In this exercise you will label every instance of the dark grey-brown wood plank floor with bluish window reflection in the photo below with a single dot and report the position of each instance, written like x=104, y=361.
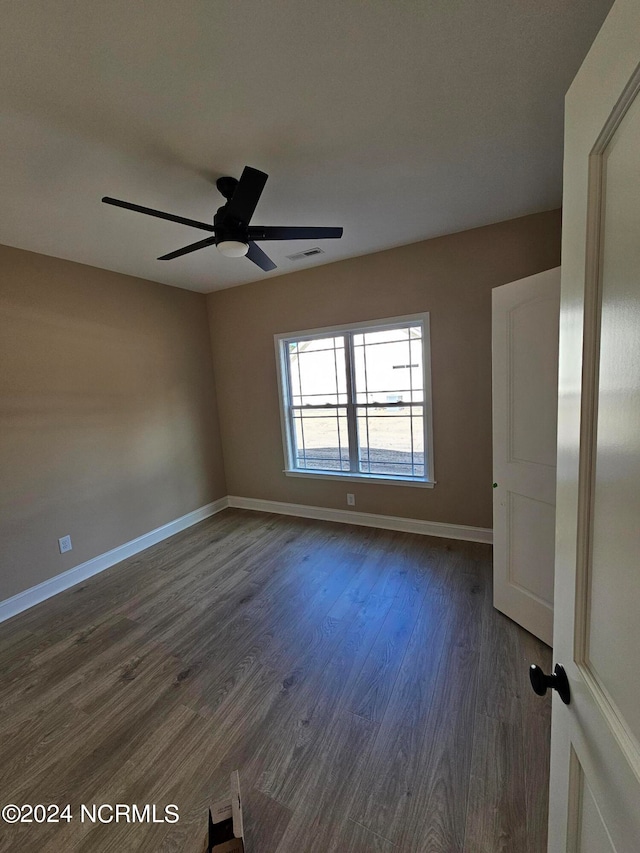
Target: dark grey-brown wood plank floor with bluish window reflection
x=359, y=679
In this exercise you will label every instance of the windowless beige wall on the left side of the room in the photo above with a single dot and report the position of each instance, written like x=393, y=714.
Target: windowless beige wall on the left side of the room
x=108, y=422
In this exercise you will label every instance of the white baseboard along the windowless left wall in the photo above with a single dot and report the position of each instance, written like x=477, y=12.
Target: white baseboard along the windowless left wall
x=29, y=597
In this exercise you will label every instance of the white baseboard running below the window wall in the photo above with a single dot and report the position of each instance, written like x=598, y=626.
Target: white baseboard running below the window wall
x=368, y=519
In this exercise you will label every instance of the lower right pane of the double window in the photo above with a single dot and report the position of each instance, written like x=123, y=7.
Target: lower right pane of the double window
x=391, y=441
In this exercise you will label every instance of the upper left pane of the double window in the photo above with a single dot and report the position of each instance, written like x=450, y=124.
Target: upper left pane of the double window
x=317, y=371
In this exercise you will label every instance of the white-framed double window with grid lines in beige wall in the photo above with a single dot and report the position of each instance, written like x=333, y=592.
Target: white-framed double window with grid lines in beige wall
x=356, y=401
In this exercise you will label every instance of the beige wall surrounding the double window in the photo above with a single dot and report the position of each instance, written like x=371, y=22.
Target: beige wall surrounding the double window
x=451, y=277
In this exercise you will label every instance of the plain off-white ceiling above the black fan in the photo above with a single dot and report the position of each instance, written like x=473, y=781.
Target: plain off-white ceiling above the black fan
x=398, y=120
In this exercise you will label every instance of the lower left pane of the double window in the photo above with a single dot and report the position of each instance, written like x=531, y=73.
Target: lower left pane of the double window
x=321, y=439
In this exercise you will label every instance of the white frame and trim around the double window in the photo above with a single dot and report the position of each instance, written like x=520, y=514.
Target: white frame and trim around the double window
x=282, y=341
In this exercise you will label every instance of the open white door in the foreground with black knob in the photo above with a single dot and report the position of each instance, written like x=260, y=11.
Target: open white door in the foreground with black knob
x=595, y=752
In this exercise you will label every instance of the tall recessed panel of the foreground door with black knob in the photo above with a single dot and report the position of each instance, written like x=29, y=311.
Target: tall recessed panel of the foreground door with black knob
x=612, y=573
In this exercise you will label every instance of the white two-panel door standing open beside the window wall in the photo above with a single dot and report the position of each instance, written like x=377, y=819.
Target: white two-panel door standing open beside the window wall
x=525, y=405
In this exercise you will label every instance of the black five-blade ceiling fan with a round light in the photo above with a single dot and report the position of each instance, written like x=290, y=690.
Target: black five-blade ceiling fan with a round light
x=231, y=232
